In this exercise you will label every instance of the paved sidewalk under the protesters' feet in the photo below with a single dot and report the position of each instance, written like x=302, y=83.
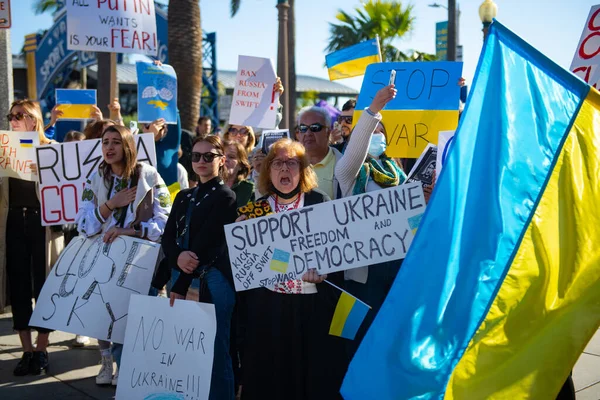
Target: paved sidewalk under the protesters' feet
x=73, y=370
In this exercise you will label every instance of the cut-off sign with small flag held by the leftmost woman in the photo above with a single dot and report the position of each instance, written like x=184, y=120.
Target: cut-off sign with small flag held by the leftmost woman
x=17, y=153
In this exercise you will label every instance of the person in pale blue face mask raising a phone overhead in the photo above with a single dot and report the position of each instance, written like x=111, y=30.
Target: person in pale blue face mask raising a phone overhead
x=366, y=168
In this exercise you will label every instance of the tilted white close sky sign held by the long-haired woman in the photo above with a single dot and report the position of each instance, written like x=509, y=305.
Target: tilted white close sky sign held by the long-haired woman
x=88, y=289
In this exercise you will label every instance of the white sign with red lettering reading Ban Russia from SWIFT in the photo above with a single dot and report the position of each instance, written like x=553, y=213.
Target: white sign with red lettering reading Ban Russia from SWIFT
x=254, y=101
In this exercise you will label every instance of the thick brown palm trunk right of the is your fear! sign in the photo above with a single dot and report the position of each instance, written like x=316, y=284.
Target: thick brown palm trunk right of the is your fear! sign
x=185, y=55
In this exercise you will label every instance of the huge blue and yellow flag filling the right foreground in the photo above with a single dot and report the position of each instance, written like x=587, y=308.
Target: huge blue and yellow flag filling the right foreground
x=500, y=291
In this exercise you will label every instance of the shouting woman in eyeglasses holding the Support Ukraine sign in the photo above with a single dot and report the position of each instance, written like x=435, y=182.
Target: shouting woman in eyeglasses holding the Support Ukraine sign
x=287, y=350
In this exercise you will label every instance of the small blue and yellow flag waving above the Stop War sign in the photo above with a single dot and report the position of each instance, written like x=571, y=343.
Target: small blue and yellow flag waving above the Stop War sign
x=353, y=60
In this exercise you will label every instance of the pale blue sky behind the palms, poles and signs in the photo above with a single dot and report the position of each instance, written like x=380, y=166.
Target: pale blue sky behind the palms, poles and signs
x=552, y=26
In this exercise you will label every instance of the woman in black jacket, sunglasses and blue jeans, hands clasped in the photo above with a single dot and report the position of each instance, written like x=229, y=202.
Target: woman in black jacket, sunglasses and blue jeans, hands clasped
x=194, y=246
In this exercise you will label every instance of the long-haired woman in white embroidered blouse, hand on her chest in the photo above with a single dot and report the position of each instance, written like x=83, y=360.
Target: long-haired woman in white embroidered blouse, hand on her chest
x=123, y=197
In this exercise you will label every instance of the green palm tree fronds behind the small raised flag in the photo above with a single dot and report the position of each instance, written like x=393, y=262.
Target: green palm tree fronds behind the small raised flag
x=389, y=20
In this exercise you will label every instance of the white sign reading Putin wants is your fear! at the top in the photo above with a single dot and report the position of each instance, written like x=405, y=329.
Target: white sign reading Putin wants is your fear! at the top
x=113, y=26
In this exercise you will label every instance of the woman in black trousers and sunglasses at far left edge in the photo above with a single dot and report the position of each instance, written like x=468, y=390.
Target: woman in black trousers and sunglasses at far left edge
x=25, y=246
